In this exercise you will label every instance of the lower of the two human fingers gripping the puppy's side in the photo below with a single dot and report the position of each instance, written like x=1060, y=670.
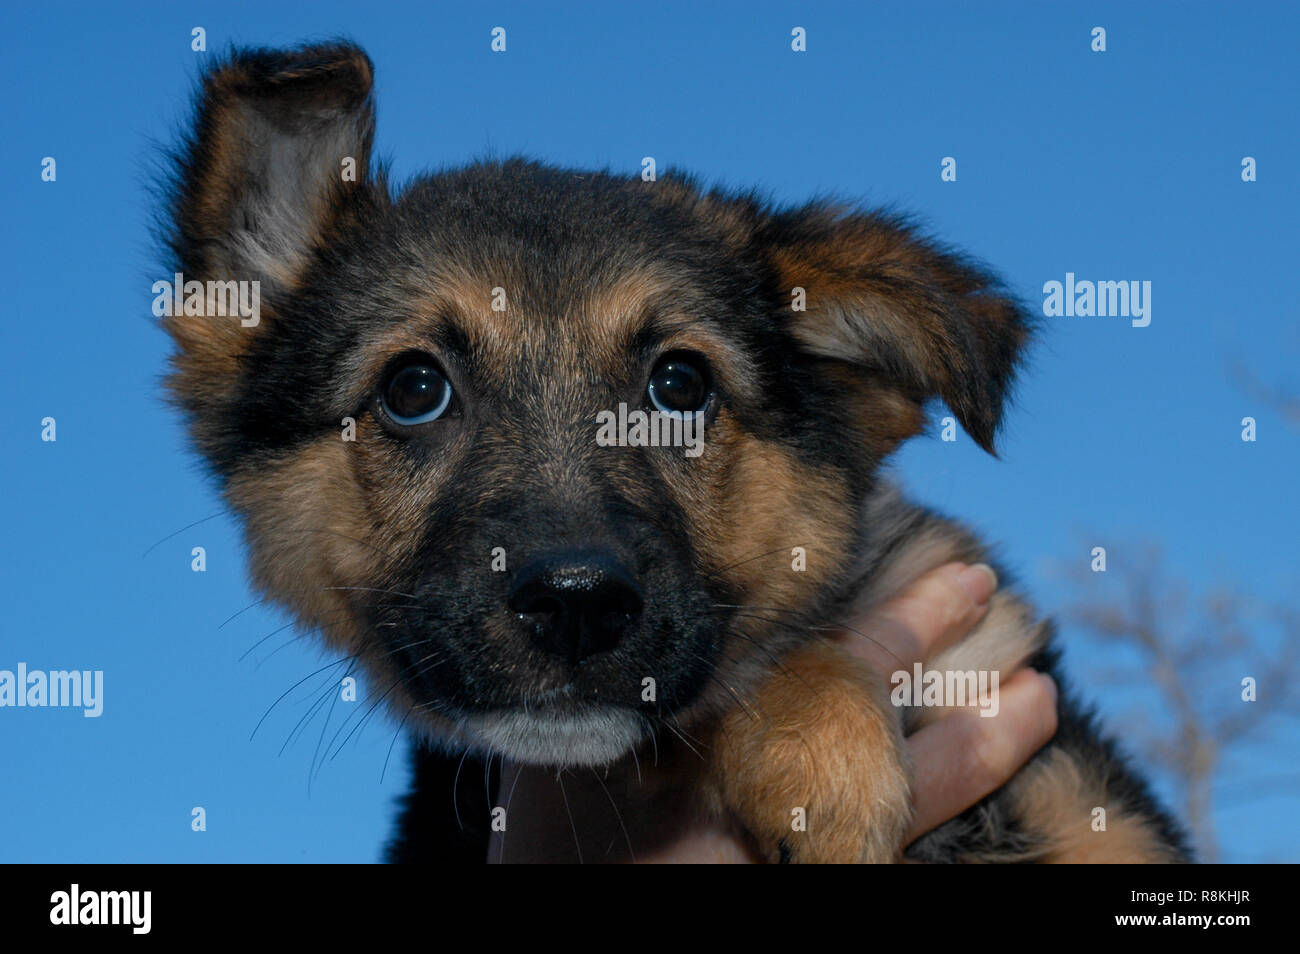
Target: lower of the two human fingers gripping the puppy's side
x=964, y=757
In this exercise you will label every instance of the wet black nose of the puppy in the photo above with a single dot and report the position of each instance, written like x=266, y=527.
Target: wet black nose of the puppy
x=579, y=601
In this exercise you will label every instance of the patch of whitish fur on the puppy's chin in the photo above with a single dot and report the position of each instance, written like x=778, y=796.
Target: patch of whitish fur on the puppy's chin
x=591, y=739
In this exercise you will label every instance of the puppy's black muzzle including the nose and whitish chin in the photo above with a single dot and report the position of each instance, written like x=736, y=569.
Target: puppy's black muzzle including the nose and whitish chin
x=580, y=666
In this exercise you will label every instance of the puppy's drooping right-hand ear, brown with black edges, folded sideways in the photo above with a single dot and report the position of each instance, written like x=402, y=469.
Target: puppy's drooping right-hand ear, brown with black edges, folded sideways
x=882, y=298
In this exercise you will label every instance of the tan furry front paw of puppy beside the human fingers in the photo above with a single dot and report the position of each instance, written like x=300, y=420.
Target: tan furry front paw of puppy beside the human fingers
x=816, y=767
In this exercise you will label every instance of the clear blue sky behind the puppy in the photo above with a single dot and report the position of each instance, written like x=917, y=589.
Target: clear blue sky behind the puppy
x=1117, y=166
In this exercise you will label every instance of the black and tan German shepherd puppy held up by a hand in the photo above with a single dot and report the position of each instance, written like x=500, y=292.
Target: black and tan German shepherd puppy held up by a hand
x=409, y=435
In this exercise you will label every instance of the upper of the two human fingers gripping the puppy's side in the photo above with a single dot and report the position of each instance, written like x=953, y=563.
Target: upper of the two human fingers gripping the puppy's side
x=934, y=613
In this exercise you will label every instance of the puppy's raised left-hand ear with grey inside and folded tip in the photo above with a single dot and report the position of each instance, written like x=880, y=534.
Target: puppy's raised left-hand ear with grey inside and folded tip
x=261, y=184
